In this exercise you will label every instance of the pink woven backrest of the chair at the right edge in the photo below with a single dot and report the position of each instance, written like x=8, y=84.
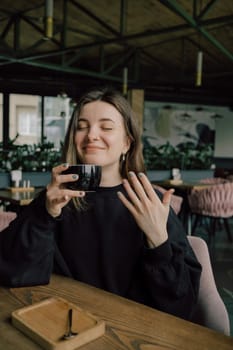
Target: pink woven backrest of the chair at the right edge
x=214, y=200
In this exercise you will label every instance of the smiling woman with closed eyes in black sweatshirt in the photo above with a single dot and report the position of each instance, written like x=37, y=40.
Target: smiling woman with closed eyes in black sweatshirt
x=123, y=238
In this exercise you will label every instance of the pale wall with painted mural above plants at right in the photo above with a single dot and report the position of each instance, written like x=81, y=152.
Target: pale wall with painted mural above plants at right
x=166, y=122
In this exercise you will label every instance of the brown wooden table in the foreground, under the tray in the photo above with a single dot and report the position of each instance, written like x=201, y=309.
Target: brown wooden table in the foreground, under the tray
x=129, y=325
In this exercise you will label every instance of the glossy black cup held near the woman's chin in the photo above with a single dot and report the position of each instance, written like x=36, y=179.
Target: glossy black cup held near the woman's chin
x=89, y=176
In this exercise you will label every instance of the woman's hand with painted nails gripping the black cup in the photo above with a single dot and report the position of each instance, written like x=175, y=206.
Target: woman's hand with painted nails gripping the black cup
x=57, y=195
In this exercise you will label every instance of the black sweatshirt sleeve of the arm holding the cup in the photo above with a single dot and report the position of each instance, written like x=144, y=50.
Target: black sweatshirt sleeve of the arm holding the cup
x=27, y=247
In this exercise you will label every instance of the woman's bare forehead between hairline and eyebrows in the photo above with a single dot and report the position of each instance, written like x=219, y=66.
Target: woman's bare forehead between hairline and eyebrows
x=100, y=110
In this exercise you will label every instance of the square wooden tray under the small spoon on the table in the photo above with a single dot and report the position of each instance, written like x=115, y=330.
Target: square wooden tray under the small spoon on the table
x=46, y=322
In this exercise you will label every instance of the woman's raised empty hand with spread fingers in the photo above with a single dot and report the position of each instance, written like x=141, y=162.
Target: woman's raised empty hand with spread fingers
x=149, y=211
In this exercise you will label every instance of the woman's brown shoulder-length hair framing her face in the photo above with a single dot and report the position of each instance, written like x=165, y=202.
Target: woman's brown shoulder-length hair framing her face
x=133, y=159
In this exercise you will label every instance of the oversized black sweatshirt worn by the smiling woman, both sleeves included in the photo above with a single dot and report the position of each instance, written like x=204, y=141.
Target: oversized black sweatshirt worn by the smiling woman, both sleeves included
x=102, y=246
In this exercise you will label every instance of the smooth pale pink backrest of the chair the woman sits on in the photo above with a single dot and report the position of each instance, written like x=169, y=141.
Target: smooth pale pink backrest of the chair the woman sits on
x=211, y=311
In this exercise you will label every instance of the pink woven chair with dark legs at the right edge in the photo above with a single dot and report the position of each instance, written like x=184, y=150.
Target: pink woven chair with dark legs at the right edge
x=214, y=202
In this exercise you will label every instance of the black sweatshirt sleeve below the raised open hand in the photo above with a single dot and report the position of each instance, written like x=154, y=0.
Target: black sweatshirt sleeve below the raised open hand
x=171, y=272
